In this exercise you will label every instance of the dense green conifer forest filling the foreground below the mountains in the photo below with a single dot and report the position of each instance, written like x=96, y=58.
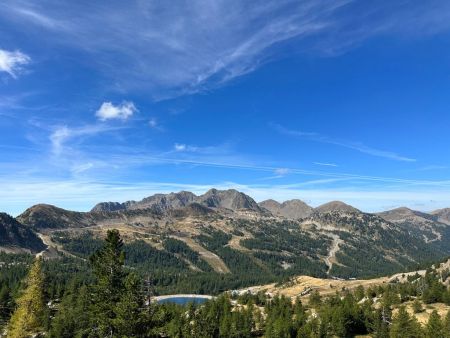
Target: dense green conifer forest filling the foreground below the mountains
x=106, y=298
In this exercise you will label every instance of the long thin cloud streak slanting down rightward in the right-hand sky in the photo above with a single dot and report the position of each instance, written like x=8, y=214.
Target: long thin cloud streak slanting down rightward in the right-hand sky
x=357, y=146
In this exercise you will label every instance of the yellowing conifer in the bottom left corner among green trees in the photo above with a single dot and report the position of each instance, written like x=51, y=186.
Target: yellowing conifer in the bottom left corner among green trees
x=27, y=320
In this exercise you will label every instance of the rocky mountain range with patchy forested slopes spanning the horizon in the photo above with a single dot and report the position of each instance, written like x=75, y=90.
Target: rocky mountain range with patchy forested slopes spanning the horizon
x=222, y=226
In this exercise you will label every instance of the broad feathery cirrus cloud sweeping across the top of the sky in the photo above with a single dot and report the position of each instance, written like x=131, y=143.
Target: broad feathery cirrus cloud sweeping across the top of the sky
x=164, y=48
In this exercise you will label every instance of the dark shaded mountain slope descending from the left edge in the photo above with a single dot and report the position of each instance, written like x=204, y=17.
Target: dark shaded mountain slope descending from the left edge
x=16, y=235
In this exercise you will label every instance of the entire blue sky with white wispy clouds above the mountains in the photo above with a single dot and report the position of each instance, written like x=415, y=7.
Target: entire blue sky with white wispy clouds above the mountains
x=317, y=100
